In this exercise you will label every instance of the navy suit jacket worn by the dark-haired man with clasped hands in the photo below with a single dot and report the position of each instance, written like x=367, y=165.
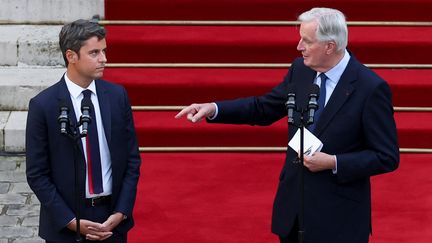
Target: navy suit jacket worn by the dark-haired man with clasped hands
x=50, y=157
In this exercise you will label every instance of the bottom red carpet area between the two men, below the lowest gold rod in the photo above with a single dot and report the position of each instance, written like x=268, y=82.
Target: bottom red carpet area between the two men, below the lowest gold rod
x=205, y=197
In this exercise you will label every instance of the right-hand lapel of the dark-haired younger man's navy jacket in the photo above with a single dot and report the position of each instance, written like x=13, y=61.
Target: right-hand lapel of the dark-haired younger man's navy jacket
x=105, y=108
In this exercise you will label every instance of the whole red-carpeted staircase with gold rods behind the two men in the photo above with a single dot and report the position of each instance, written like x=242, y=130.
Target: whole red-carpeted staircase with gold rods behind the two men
x=211, y=183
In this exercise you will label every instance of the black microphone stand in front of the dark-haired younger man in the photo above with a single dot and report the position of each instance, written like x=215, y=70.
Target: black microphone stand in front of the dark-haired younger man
x=73, y=133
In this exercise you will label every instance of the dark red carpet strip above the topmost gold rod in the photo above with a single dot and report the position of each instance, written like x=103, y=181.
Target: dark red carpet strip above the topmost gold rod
x=384, y=10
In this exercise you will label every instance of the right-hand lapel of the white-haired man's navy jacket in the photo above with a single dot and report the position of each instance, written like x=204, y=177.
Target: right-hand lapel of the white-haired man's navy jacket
x=343, y=90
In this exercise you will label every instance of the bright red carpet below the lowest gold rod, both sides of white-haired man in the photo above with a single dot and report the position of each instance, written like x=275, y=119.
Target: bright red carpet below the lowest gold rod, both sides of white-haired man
x=227, y=197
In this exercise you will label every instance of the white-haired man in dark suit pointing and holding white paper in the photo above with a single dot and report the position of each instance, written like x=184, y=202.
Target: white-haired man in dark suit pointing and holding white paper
x=356, y=126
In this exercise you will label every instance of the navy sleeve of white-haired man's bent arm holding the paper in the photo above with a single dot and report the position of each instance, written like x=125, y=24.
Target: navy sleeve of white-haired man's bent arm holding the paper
x=381, y=152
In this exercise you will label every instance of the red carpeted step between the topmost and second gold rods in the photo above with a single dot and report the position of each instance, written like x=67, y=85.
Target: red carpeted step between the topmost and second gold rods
x=253, y=44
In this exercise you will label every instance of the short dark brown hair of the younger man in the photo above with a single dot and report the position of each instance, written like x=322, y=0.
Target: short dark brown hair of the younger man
x=74, y=35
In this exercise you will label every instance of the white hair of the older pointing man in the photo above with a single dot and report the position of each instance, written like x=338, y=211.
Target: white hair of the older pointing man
x=331, y=25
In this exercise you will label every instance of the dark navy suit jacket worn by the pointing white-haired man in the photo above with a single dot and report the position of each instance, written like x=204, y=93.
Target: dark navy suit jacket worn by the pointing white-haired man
x=357, y=125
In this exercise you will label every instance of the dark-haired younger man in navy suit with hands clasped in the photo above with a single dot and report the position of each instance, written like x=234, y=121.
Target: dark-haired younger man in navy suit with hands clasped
x=107, y=160
